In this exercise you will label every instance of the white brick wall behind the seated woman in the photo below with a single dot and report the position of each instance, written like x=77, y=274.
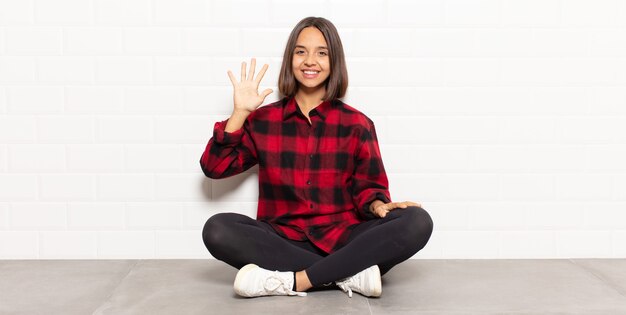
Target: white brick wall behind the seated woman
x=505, y=119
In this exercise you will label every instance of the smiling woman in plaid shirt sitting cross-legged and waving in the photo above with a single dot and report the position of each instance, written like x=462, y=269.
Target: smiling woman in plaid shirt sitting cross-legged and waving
x=324, y=215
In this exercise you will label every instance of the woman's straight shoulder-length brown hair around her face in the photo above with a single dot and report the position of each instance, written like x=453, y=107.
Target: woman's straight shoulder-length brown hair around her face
x=337, y=82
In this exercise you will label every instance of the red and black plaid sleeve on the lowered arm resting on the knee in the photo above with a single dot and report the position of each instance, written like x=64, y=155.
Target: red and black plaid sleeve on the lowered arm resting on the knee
x=369, y=180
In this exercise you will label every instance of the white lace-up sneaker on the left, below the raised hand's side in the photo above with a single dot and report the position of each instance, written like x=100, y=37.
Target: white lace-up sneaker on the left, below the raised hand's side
x=252, y=280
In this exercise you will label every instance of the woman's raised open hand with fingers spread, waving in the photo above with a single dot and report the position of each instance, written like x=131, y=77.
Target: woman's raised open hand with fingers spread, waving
x=246, y=96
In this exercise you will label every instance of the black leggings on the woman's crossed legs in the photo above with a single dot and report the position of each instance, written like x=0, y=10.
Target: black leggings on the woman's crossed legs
x=239, y=240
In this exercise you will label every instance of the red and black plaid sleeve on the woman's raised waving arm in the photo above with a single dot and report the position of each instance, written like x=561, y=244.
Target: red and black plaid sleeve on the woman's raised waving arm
x=228, y=153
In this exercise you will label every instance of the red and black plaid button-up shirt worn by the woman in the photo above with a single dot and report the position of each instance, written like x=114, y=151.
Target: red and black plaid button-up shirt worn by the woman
x=316, y=179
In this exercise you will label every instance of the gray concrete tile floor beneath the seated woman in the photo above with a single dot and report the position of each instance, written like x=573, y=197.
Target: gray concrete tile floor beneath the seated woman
x=550, y=286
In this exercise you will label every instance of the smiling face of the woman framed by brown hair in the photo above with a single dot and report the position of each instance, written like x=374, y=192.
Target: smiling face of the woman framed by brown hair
x=311, y=53
